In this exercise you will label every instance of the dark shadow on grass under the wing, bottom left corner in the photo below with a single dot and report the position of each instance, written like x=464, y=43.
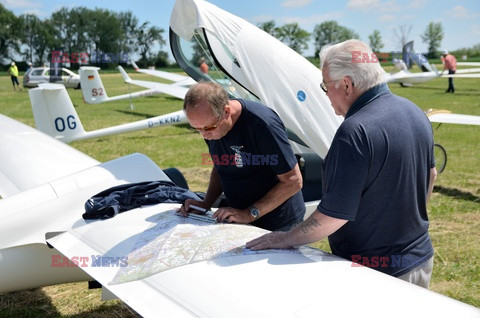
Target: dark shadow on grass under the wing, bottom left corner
x=36, y=303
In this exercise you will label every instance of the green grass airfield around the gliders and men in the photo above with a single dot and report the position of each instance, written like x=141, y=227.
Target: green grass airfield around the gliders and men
x=454, y=209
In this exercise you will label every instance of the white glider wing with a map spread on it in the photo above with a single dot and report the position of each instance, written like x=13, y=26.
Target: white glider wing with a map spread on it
x=163, y=264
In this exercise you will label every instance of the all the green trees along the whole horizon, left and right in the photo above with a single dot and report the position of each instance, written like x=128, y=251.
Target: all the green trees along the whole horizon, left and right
x=98, y=31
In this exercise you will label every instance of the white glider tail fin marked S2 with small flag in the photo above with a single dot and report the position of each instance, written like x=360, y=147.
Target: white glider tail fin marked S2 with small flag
x=92, y=86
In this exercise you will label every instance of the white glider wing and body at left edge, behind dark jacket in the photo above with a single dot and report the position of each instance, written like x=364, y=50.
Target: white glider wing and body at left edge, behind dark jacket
x=45, y=184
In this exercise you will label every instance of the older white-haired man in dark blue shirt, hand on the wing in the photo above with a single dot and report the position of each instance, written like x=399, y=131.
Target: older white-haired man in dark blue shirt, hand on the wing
x=378, y=173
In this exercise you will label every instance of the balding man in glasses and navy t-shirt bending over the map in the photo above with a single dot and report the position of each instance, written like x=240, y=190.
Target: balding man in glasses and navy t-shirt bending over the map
x=254, y=165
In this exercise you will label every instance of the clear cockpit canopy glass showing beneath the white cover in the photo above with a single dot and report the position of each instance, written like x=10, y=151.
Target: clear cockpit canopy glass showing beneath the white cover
x=197, y=58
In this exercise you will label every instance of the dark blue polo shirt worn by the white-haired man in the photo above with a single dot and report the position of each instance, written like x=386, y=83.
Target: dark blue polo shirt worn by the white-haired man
x=376, y=176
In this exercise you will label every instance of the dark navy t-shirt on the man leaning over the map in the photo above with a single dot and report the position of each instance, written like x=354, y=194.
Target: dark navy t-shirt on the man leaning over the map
x=249, y=158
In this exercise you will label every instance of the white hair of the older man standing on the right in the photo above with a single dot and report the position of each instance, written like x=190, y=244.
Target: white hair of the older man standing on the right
x=348, y=59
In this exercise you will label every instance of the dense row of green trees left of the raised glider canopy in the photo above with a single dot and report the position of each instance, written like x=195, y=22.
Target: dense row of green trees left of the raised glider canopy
x=79, y=30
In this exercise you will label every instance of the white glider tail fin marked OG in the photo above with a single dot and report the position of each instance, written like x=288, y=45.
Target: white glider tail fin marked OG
x=54, y=113
